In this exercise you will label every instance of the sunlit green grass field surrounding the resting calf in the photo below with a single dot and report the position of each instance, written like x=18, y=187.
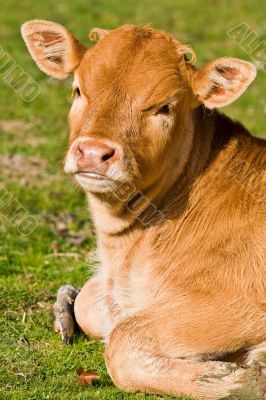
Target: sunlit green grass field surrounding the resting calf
x=34, y=364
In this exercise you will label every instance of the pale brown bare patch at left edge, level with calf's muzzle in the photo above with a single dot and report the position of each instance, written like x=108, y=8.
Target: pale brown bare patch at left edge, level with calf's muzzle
x=24, y=170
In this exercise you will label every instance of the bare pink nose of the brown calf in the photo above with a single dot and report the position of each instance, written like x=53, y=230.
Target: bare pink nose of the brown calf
x=94, y=156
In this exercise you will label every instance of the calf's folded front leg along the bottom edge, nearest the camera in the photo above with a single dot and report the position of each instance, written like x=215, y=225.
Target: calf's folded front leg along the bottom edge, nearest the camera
x=163, y=351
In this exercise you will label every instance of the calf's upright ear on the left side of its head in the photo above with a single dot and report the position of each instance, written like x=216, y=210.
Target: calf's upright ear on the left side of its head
x=53, y=48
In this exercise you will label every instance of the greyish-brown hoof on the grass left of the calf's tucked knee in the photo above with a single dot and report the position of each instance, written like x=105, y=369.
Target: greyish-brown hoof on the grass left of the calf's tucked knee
x=63, y=312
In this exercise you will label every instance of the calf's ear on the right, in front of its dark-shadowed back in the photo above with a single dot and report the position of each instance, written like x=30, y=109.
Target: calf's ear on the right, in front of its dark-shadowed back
x=222, y=81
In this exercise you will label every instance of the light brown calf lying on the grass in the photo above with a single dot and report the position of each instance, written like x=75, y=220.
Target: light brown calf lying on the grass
x=177, y=195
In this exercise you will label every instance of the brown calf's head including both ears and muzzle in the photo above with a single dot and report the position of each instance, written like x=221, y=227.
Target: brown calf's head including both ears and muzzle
x=134, y=91
